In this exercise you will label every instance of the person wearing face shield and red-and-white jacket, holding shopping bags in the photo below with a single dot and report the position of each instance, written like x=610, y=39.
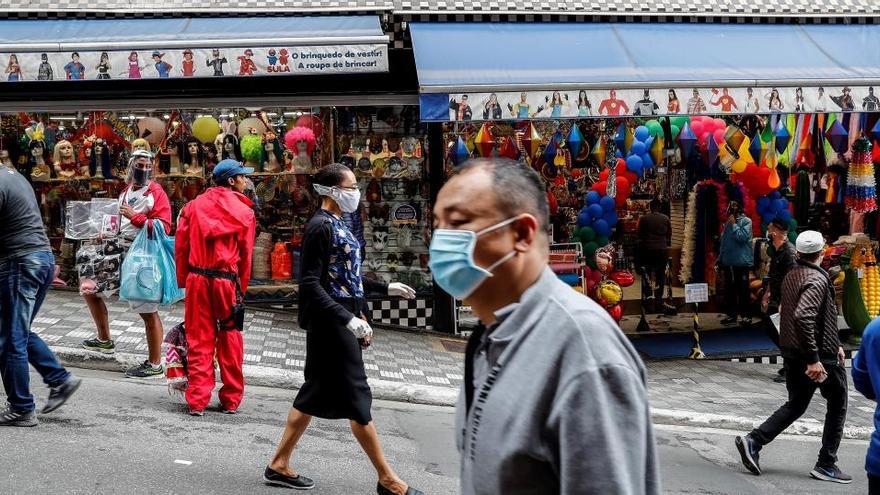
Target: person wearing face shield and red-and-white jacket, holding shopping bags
x=142, y=201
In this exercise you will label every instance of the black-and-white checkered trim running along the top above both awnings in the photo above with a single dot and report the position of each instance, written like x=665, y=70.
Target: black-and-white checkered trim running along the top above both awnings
x=466, y=10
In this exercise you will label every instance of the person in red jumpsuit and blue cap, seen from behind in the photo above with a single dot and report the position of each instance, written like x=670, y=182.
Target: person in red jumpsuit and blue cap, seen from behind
x=214, y=245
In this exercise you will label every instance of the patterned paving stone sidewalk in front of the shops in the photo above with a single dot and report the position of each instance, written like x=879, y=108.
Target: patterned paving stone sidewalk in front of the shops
x=273, y=340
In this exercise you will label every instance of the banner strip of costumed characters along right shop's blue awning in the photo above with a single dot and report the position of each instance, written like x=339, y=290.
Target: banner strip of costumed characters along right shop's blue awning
x=653, y=102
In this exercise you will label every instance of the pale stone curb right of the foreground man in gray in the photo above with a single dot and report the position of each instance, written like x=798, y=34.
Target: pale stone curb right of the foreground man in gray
x=706, y=420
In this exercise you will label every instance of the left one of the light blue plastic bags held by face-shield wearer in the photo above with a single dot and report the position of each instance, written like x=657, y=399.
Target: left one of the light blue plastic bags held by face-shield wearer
x=141, y=273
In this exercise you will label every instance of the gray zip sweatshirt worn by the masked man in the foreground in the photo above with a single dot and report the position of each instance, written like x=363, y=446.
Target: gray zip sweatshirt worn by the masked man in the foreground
x=559, y=403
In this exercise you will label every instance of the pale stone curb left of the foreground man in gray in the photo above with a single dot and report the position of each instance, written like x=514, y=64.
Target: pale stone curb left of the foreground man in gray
x=262, y=376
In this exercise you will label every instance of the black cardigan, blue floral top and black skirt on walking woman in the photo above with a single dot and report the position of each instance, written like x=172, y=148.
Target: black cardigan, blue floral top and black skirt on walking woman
x=331, y=293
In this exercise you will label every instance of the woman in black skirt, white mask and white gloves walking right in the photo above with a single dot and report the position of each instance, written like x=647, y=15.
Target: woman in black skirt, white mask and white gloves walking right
x=333, y=312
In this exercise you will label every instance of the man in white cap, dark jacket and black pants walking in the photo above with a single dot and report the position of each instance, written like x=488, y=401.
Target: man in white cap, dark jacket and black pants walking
x=814, y=360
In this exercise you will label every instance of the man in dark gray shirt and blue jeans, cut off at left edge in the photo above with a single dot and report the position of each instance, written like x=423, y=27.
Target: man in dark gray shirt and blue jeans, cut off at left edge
x=27, y=269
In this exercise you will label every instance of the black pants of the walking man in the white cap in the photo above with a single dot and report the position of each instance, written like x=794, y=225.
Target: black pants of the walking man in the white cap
x=800, y=392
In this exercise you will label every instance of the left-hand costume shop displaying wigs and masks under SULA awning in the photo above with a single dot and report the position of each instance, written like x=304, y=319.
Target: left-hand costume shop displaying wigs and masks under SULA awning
x=285, y=95
